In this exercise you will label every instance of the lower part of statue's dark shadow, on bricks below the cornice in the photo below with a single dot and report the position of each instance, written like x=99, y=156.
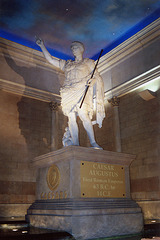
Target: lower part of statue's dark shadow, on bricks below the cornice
x=35, y=125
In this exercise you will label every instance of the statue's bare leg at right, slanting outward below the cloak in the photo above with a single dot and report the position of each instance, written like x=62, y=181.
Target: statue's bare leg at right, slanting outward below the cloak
x=88, y=127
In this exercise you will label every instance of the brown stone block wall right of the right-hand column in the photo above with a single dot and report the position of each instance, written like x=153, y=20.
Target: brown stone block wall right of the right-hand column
x=140, y=128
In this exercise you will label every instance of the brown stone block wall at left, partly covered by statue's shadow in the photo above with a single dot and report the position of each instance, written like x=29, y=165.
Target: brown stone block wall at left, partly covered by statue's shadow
x=25, y=126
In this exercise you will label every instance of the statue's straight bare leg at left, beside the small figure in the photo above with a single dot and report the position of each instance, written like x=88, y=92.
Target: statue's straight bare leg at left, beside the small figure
x=73, y=127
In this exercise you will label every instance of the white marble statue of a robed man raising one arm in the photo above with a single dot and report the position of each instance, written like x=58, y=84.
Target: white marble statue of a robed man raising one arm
x=77, y=78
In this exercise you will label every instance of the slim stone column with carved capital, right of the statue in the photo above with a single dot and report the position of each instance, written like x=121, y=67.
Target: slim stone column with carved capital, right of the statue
x=115, y=103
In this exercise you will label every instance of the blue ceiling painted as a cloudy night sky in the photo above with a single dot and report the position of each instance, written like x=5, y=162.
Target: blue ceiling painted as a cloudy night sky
x=97, y=23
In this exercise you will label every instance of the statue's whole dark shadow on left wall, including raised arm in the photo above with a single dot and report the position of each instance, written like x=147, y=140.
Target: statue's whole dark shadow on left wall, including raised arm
x=34, y=115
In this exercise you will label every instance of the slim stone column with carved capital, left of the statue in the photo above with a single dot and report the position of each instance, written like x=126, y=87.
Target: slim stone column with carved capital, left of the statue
x=54, y=128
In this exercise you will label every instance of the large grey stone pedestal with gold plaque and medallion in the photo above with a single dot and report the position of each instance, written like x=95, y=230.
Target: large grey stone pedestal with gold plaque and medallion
x=85, y=192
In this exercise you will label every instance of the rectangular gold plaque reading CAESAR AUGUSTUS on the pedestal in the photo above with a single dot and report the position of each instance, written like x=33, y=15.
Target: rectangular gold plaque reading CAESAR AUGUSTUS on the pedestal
x=100, y=180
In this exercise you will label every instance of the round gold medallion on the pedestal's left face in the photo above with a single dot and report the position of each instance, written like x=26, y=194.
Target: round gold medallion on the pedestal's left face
x=53, y=177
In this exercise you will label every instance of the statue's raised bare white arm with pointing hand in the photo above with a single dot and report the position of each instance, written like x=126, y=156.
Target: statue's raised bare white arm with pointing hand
x=53, y=61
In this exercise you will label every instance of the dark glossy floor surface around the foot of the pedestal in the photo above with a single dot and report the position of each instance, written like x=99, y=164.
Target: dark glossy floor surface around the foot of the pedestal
x=18, y=229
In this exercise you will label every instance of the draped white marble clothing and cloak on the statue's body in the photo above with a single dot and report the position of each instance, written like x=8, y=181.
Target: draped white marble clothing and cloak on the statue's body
x=77, y=75
